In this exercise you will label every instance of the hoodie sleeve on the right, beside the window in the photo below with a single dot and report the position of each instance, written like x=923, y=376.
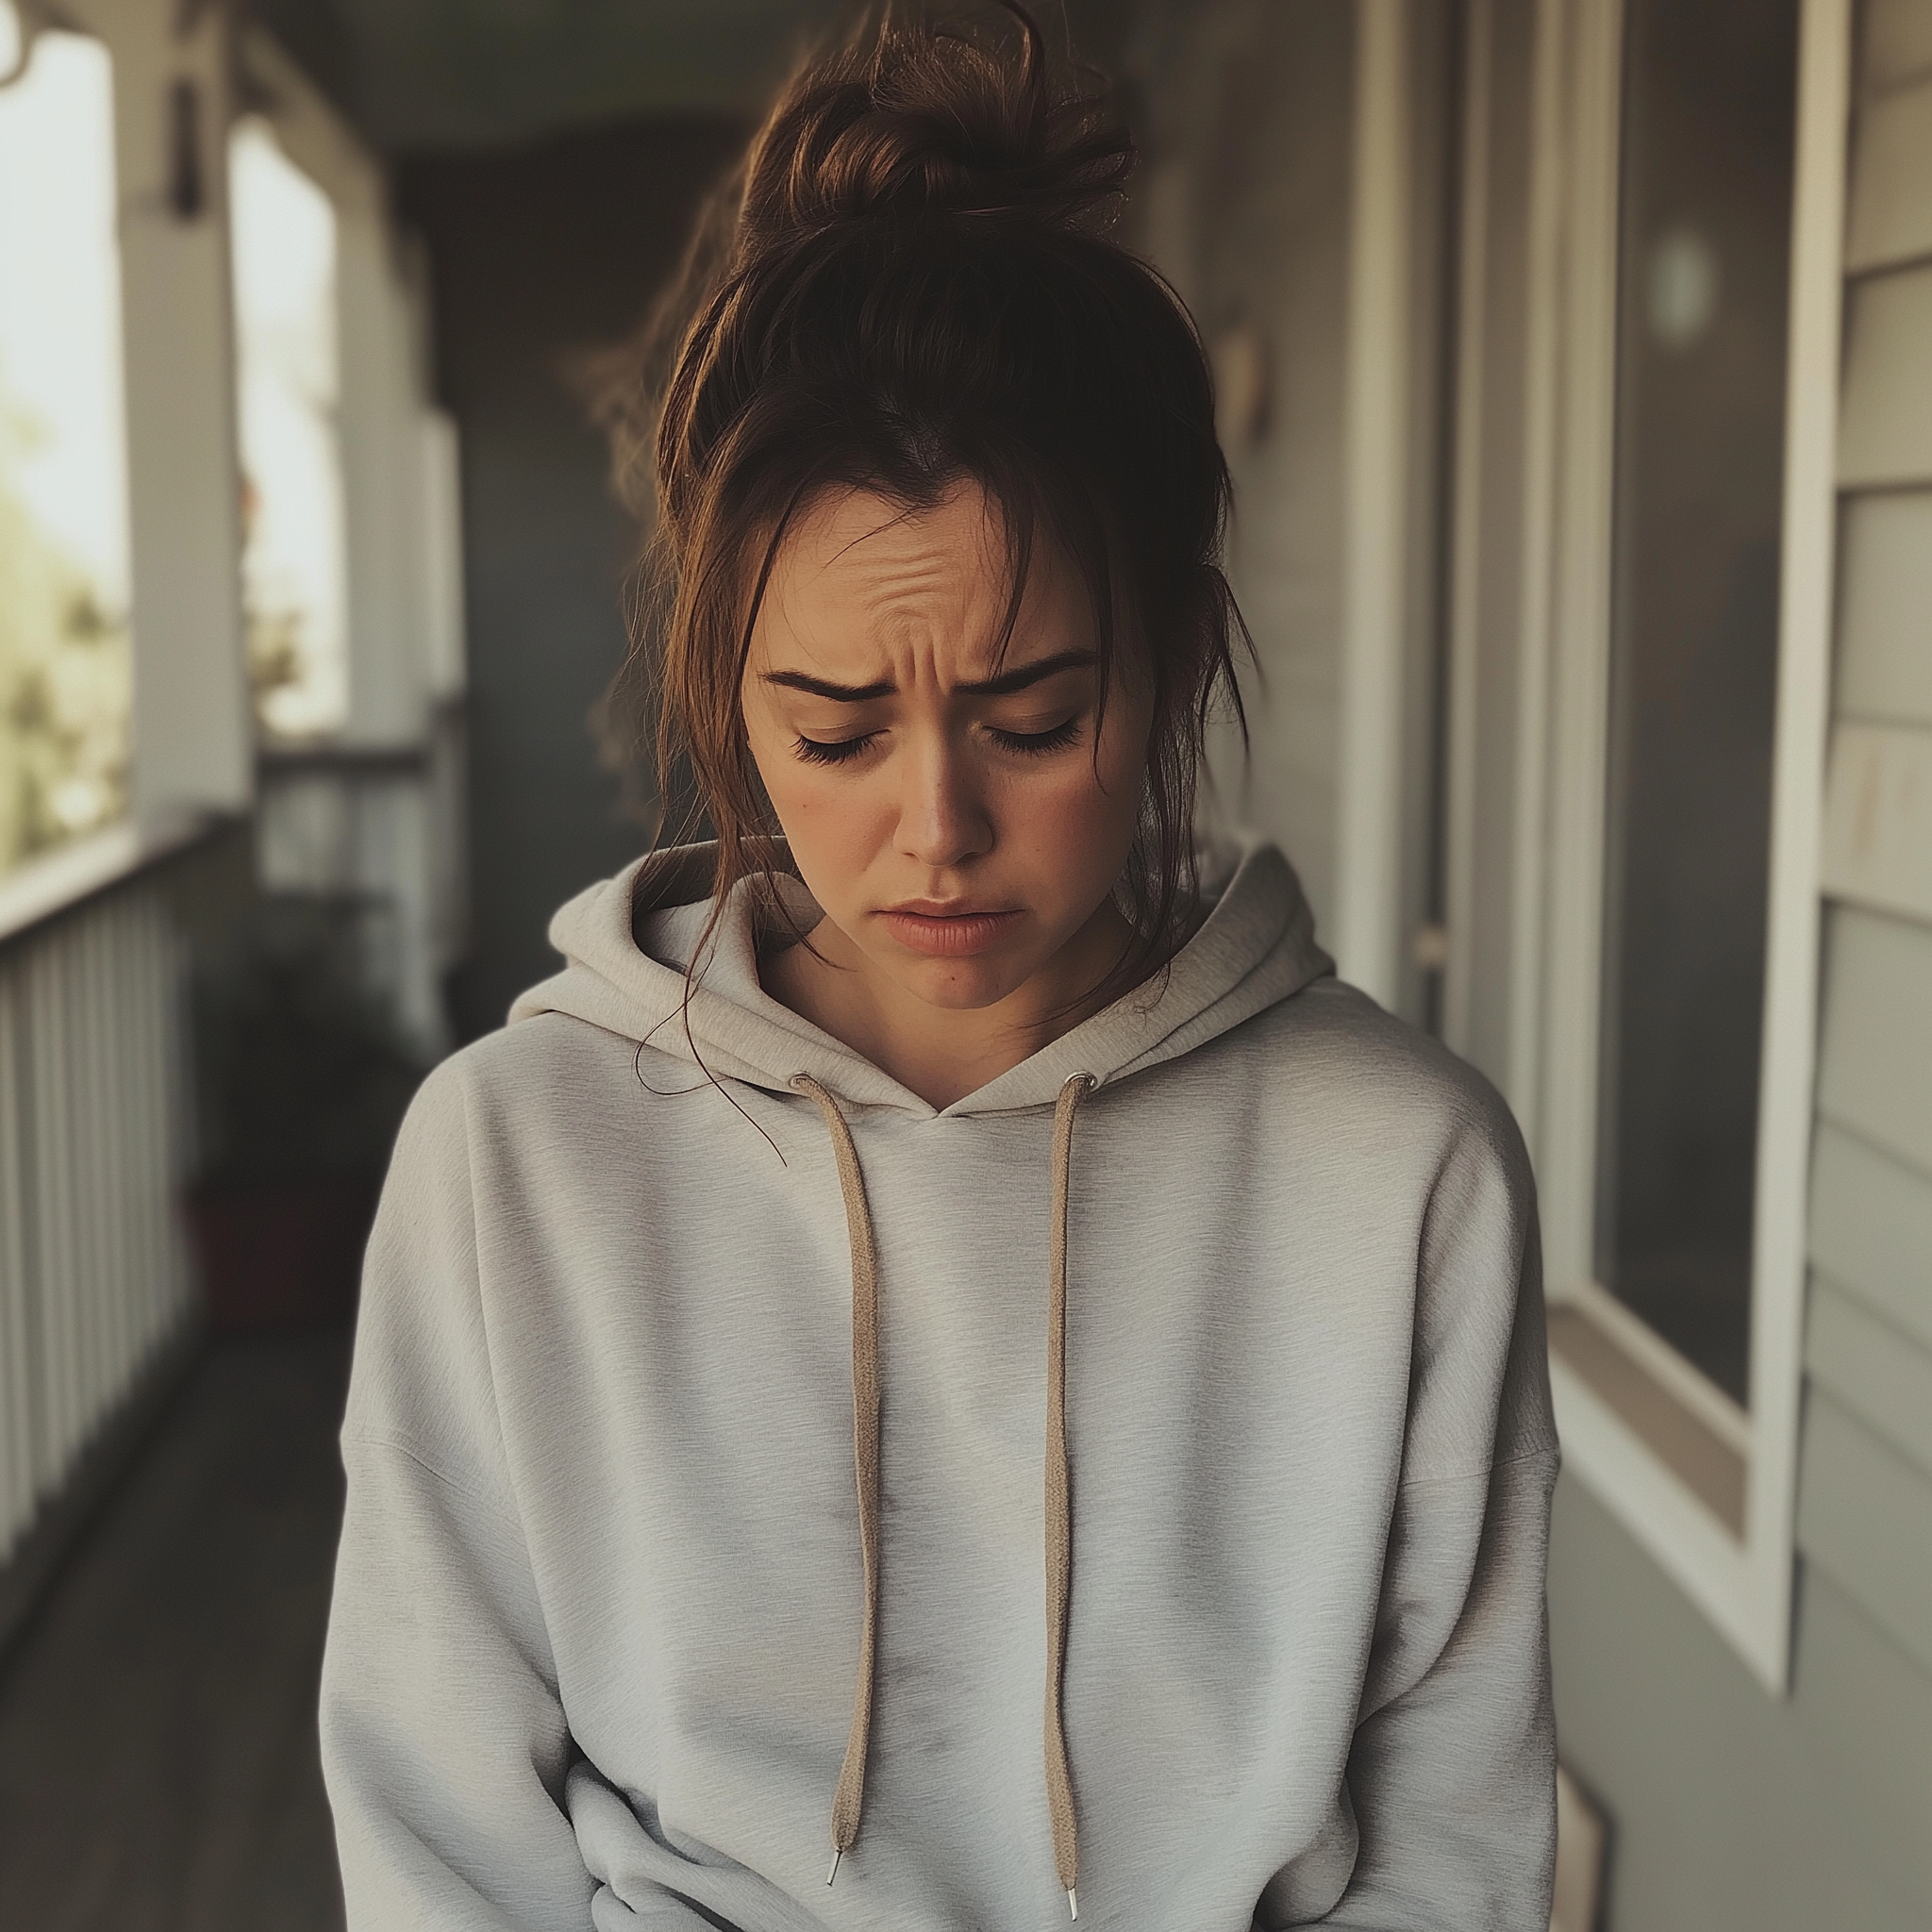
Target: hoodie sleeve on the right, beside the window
x=1452, y=1773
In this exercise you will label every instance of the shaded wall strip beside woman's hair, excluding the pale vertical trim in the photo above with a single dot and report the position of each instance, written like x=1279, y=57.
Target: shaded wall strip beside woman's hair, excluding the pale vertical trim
x=1247, y=192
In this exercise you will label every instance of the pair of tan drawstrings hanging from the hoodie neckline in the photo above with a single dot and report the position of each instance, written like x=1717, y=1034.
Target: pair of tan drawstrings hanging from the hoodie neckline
x=849, y=1802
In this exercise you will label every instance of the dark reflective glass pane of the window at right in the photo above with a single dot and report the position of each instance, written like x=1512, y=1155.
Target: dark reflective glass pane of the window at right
x=1709, y=138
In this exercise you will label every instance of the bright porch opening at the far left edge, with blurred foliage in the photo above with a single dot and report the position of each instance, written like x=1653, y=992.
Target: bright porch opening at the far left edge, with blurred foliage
x=65, y=637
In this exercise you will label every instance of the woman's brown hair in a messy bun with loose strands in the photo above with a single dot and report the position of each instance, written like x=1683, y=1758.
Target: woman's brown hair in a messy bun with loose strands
x=909, y=285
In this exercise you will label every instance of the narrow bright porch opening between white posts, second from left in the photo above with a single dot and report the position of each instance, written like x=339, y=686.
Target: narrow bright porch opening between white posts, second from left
x=293, y=575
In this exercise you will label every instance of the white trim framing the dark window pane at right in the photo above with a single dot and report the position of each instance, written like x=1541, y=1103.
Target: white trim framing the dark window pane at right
x=1744, y=1585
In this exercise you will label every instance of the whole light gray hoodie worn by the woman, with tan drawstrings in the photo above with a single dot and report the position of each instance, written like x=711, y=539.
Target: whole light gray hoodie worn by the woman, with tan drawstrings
x=613, y=1610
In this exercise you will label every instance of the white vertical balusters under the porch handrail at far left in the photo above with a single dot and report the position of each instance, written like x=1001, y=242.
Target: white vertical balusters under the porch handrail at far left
x=96, y=1135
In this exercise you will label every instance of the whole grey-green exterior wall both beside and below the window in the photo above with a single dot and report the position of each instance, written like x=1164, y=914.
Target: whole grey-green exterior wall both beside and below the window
x=1732, y=1809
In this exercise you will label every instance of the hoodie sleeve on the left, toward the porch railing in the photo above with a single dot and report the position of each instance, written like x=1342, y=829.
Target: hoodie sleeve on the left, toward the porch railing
x=445, y=1744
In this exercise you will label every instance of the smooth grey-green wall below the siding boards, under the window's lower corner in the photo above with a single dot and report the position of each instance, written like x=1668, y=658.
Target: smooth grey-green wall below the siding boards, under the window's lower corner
x=1734, y=1811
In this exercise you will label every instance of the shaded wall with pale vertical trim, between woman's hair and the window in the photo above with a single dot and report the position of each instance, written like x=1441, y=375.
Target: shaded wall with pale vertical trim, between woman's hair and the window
x=1295, y=190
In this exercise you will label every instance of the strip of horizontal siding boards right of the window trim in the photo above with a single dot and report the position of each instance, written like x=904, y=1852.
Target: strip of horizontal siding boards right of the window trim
x=1865, y=1491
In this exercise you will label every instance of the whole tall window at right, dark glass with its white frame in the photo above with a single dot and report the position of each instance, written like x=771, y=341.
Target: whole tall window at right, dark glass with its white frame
x=1641, y=615
